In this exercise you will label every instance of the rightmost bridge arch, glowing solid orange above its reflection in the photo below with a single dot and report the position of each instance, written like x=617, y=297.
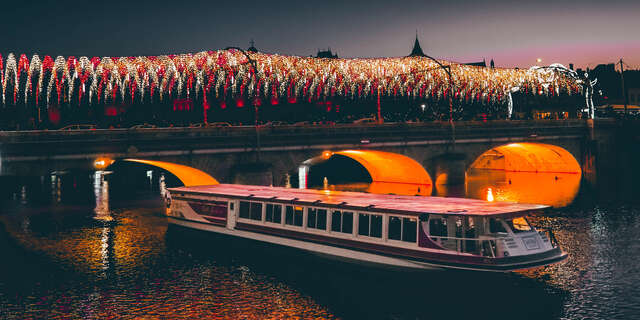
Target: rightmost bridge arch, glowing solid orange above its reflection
x=528, y=157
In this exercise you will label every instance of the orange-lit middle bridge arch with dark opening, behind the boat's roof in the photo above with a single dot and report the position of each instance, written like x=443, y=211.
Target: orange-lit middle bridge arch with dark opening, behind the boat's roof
x=375, y=171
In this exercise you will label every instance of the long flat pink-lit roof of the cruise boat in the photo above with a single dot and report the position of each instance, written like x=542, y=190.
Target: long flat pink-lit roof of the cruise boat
x=412, y=205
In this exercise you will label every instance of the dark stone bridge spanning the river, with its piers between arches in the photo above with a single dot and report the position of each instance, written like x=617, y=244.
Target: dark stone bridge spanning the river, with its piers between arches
x=234, y=154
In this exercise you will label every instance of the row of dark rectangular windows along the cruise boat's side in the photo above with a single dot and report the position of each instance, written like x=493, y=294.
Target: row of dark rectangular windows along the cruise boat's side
x=370, y=225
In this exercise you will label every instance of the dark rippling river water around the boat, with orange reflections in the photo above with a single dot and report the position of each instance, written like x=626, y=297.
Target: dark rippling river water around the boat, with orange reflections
x=97, y=246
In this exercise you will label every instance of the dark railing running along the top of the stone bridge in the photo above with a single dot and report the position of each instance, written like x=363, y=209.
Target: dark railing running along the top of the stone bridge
x=27, y=143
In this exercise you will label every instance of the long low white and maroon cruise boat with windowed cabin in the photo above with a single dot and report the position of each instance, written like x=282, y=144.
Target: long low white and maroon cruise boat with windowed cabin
x=389, y=230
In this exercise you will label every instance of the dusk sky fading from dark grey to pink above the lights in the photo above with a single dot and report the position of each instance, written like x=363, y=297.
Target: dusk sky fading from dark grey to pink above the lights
x=514, y=34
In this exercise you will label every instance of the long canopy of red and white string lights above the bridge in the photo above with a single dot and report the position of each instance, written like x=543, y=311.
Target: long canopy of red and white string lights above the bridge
x=226, y=74
